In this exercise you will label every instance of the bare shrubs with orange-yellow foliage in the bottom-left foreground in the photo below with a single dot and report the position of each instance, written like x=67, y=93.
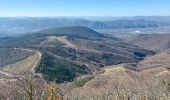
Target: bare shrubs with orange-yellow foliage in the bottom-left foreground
x=30, y=87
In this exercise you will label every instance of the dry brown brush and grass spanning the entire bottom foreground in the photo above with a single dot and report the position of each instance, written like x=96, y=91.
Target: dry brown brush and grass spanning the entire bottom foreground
x=118, y=84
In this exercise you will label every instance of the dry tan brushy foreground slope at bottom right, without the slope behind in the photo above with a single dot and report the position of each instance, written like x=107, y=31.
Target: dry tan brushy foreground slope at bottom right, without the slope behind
x=123, y=84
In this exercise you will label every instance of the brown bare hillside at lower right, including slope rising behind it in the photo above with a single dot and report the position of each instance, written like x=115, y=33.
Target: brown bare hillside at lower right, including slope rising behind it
x=150, y=82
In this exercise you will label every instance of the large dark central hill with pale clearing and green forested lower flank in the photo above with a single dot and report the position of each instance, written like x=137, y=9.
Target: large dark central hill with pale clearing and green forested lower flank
x=75, y=50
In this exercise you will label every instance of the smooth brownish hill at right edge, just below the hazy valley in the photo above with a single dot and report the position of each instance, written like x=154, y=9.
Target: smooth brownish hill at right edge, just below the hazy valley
x=156, y=42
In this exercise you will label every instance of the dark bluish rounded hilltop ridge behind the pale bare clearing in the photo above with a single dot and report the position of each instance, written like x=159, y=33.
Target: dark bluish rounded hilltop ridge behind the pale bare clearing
x=37, y=37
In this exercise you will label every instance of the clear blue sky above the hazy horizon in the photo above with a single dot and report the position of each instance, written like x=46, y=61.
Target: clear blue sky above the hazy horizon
x=84, y=7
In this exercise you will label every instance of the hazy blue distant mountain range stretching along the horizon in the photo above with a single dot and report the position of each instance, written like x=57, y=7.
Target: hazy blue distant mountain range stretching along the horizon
x=28, y=24
